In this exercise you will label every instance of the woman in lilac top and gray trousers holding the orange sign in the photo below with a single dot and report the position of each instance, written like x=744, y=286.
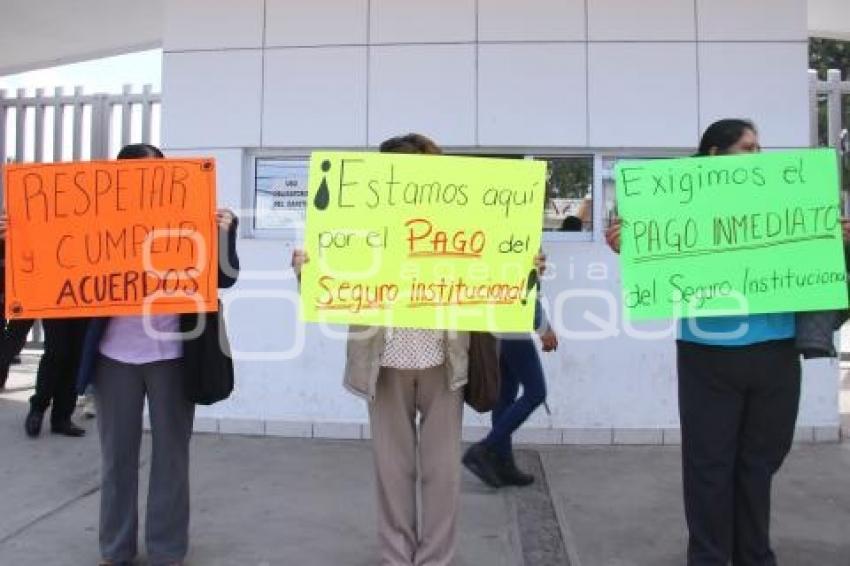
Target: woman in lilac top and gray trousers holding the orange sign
x=130, y=359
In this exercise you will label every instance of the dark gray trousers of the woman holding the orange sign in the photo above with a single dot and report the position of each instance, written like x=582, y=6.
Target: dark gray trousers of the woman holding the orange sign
x=120, y=391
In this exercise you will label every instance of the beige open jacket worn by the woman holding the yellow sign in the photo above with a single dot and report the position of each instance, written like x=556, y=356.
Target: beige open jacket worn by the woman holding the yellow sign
x=363, y=359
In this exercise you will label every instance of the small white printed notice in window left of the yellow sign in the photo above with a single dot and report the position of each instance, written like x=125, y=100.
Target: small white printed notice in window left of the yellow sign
x=280, y=187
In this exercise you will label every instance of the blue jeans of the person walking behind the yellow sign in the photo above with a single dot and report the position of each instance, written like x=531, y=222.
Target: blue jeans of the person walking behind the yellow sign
x=520, y=366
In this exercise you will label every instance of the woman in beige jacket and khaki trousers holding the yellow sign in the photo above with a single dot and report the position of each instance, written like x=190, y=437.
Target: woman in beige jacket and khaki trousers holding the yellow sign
x=402, y=372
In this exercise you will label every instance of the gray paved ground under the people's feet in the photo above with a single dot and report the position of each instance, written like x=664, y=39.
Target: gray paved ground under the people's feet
x=265, y=501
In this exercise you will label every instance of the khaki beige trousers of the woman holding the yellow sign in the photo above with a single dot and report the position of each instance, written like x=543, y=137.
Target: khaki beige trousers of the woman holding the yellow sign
x=399, y=395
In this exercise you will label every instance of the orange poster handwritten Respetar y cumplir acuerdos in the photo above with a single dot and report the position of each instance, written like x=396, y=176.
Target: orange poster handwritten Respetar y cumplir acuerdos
x=111, y=238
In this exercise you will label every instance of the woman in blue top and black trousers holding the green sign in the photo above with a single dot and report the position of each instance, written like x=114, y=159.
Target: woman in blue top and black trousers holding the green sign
x=739, y=393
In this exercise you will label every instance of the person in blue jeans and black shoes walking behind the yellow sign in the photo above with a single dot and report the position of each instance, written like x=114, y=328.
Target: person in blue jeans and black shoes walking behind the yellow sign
x=492, y=460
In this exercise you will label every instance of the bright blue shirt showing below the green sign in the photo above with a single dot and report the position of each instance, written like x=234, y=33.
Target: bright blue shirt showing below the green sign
x=737, y=330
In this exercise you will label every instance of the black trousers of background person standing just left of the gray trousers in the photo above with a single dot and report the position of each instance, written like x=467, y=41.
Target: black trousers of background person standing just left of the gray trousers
x=56, y=381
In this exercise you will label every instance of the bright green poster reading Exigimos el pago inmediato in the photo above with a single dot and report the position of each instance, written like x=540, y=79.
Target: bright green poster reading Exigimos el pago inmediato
x=742, y=234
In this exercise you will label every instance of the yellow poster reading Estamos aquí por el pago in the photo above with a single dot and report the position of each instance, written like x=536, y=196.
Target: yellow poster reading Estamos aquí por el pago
x=422, y=241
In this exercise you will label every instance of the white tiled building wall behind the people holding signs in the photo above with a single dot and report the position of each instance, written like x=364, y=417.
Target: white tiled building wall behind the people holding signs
x=564, y=74
